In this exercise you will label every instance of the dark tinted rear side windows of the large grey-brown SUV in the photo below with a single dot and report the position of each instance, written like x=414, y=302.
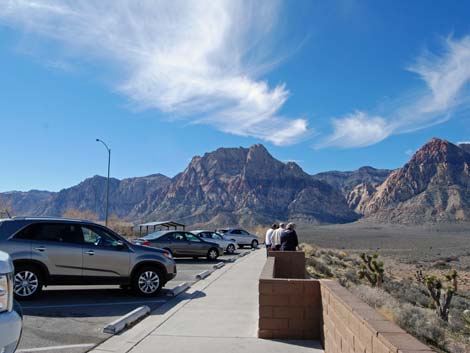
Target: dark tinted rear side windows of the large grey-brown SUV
x=53, y=232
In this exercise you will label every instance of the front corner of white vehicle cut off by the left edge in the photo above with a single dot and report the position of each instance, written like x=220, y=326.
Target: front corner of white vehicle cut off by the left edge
x=11, y=319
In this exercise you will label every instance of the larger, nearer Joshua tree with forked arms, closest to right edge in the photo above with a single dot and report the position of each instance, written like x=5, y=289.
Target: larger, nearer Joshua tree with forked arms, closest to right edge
x=440, y=296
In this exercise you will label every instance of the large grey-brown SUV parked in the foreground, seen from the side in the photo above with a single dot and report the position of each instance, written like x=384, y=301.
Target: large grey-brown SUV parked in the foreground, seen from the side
x=56, y=251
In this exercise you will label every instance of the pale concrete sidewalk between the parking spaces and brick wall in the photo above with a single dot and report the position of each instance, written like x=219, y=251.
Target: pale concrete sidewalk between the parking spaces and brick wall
x=217, y=314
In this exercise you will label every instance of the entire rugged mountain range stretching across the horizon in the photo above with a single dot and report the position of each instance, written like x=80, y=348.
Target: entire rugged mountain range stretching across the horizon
x=248, y=186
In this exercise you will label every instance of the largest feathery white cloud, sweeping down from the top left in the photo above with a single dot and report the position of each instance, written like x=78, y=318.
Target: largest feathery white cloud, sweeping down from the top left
x=201, y=60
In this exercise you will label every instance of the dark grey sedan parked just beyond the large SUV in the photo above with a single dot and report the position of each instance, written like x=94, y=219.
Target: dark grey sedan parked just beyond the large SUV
x=181, y=244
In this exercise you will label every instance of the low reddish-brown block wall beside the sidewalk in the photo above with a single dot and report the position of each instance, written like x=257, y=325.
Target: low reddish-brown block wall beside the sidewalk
x=300, y=308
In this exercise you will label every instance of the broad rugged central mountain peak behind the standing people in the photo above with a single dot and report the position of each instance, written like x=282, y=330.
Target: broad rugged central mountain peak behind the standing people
x=249, y=186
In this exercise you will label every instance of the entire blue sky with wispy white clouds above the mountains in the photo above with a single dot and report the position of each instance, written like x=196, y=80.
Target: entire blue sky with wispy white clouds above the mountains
x=331, y=85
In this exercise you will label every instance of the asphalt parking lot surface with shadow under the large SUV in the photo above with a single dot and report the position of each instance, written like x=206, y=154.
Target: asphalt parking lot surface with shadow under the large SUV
x=71, y=318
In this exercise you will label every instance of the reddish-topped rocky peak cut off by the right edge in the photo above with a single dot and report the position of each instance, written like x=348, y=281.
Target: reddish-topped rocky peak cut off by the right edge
x=434, y=186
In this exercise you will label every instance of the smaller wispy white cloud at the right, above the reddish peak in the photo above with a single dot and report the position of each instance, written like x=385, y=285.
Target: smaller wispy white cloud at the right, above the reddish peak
x=446, y=76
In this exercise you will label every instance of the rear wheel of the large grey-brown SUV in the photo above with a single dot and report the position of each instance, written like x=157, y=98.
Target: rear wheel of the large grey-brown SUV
x=28, y=282
